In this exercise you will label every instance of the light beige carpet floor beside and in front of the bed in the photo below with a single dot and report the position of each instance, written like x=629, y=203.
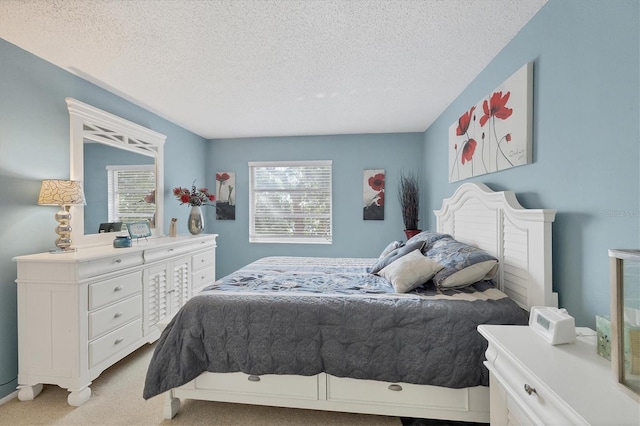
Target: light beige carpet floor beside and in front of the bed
x=117, y=400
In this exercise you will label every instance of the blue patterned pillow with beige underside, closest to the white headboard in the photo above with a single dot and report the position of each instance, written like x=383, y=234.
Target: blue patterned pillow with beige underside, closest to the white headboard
x=463, y=264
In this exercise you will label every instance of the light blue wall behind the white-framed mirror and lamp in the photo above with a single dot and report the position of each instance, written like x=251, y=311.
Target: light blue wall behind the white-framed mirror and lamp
x=34, y=145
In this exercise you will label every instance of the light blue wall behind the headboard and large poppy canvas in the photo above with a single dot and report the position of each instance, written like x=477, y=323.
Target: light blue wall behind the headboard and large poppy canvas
x=585, y=143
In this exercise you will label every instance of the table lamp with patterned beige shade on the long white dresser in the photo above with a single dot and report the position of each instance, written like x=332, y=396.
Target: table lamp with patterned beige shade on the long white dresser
x=63, y=193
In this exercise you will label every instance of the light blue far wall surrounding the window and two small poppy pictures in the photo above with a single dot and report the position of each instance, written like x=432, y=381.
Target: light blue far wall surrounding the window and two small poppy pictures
x=351, y=154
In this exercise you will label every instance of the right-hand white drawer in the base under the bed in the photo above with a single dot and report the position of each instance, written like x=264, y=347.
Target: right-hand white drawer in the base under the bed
x=396, y=394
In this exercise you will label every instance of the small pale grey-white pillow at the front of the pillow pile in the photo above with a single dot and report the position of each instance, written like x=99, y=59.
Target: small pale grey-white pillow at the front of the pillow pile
x=410, y=271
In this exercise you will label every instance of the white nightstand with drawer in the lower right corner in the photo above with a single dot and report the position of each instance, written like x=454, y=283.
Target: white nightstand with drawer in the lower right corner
x=534, y=383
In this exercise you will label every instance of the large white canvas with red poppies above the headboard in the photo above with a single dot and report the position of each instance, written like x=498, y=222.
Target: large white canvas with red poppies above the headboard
x=494, y=134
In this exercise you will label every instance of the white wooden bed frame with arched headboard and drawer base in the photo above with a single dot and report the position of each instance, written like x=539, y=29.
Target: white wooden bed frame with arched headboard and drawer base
x=493, y=221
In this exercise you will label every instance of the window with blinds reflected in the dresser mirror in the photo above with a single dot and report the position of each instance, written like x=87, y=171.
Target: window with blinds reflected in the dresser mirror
x=131, y=193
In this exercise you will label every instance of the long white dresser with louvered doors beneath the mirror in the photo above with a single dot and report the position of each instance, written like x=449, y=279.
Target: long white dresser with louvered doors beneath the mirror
x=81, y=312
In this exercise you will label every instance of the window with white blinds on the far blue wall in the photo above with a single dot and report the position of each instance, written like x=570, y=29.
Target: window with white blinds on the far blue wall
x=290, y=202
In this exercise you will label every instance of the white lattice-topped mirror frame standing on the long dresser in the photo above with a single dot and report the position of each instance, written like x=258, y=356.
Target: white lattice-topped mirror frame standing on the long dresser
x=91, y=123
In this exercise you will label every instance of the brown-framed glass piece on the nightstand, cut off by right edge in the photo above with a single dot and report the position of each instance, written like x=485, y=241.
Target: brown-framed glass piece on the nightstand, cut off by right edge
x=625, y=319
